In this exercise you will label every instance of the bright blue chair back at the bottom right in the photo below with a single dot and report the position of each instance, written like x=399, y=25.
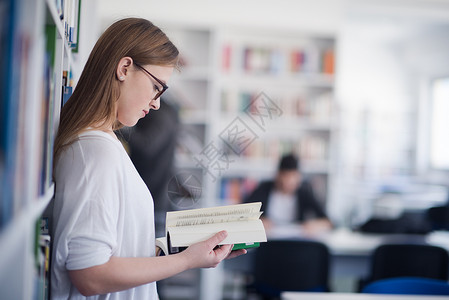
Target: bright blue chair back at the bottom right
x=408, y=286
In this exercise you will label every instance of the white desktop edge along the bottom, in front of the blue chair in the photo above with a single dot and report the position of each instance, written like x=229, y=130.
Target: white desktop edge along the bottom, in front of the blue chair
x=347, y=296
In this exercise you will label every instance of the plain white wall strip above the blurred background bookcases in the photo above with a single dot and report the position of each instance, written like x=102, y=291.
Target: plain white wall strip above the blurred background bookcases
x=321, y=16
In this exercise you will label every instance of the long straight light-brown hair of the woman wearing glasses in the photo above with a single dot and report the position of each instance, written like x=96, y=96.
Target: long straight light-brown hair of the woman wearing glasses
x=93, y=103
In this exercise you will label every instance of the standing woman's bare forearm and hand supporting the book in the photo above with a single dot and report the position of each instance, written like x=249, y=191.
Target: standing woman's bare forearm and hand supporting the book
x=122, y=273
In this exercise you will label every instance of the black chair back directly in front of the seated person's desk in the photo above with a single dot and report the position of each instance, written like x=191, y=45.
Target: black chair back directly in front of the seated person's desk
x=291, y=265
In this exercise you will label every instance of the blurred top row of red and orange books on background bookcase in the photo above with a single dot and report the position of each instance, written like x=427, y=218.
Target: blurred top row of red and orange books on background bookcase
x=274, y=60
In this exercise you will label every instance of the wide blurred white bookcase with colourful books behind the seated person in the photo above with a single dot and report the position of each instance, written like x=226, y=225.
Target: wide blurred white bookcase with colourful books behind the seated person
x=292, y=72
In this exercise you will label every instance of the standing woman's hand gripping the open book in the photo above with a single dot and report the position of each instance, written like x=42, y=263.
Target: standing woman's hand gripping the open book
x=208, y=254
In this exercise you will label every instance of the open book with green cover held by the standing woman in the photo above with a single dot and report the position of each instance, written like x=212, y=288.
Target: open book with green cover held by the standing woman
x=186, y=227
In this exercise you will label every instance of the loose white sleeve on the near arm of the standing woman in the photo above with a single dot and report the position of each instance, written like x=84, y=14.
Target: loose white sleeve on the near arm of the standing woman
x=91, y=192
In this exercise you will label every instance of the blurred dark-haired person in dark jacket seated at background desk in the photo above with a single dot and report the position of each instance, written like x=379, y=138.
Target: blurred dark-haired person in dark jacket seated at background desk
x=290, y=200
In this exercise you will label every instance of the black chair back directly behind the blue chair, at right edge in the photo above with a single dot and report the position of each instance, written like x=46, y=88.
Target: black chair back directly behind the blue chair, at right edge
x=416, y=260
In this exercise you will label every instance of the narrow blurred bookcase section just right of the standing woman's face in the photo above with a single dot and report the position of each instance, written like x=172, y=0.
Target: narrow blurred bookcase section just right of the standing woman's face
x=191, y=90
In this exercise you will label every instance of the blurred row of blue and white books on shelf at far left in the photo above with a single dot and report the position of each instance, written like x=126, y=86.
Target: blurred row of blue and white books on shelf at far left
x=27, y=114
